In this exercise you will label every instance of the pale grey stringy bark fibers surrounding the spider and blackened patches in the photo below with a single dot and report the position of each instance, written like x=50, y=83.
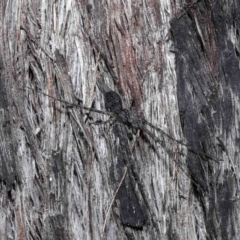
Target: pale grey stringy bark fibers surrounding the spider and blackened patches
x=55, y=169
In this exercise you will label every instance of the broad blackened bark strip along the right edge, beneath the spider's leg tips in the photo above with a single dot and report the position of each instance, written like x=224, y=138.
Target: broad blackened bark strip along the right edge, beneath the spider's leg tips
x=208, y=89
